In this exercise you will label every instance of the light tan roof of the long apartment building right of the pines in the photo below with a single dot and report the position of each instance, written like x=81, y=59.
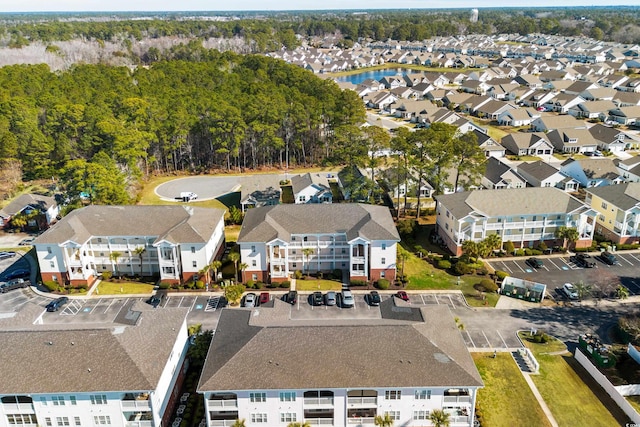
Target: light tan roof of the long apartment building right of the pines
x=509, y=202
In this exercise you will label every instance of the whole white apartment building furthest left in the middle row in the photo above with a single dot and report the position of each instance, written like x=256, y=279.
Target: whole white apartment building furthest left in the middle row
x=174, y=242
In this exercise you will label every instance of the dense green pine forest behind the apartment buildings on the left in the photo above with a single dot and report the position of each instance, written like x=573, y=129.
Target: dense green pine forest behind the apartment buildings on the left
x=103, y=128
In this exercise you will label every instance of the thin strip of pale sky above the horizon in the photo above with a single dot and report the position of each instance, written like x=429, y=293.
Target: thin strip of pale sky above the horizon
x=221, y=5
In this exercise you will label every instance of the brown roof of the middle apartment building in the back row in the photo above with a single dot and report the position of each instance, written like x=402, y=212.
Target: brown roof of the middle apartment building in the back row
x=355, y=219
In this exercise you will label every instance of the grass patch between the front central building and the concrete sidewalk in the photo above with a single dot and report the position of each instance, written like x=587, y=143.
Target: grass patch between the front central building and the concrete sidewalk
x=506, y=399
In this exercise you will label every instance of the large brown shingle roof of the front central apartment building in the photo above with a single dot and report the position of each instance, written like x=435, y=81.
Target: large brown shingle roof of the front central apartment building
x=294, y=356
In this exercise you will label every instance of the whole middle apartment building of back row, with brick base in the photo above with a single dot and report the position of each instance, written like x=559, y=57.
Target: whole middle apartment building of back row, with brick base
x=356, y=238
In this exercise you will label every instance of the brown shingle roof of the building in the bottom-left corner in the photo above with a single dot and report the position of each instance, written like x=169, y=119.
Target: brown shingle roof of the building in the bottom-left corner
x=90, y=360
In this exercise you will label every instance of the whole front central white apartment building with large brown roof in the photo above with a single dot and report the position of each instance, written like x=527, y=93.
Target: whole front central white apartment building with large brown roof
x=269, y=371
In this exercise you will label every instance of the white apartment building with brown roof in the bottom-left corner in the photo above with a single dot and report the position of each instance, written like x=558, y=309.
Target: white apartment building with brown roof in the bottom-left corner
x=124, y=376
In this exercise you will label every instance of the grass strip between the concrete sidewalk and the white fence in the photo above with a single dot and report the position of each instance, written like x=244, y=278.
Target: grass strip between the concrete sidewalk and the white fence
x=569, y=398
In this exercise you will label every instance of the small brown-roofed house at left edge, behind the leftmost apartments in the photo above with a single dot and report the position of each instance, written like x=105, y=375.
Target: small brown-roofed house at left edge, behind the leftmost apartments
x=39, y=211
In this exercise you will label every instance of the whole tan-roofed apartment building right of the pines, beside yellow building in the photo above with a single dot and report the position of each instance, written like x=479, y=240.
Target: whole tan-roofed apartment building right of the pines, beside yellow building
x=524, y=216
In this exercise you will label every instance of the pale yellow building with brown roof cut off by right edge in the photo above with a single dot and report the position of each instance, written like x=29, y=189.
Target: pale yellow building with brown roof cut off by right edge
x=618, y=209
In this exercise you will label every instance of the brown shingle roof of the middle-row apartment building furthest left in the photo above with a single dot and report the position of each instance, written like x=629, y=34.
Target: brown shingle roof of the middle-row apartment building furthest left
x=176, y=224
